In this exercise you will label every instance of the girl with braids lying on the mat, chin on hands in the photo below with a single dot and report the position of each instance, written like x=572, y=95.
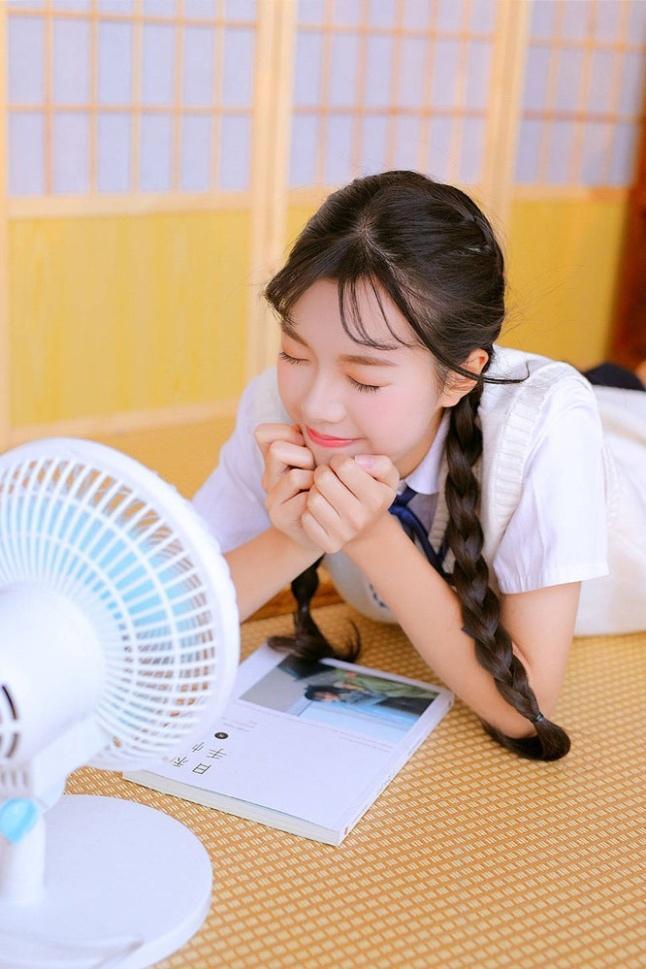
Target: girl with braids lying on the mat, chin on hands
x=392, y=415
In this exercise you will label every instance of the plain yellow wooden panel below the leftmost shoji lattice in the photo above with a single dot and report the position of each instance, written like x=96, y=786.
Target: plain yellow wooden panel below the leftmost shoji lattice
x=126, y=313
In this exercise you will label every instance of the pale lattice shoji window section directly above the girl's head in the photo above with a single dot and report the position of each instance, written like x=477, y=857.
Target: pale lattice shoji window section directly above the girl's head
x=401, y=84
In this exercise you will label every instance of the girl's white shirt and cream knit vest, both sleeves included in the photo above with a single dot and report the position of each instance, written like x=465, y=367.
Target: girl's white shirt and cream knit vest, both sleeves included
x=563, y=479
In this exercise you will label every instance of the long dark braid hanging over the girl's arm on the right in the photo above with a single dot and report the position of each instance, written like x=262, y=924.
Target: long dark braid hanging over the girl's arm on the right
x=480, y=605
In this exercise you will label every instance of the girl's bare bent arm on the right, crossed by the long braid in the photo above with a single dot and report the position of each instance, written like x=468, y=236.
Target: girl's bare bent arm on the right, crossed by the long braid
x=540, y=623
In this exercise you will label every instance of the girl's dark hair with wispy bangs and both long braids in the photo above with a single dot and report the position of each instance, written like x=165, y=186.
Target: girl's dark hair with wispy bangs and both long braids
x=431, y=249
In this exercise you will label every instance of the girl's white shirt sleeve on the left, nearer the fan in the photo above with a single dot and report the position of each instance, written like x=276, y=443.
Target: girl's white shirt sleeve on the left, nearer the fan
x=232, y=500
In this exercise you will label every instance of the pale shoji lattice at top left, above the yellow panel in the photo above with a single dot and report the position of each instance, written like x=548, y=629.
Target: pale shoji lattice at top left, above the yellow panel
x=129, y=96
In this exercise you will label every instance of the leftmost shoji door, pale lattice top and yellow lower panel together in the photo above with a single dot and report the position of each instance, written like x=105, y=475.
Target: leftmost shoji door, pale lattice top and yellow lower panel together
x=128, y=131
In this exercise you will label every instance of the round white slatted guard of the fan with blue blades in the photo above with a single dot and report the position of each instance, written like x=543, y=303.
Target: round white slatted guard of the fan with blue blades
x=92, y=524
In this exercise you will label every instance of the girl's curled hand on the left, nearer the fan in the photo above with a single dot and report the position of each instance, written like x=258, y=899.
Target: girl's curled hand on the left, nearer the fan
x=287, y=478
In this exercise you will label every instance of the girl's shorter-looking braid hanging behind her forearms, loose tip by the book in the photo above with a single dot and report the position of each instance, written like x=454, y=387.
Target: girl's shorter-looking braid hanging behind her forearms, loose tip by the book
x=308, y=642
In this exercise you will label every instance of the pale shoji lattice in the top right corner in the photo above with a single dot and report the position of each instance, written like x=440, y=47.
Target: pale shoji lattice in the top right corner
x=583, y=94
